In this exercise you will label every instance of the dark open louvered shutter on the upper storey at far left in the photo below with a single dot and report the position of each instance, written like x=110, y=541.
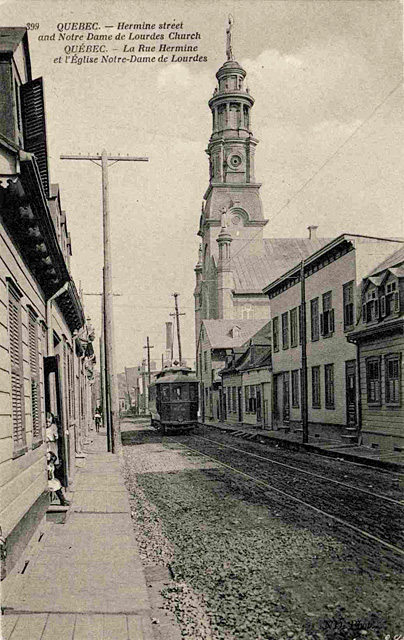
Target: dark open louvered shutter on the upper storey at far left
x=34, y=126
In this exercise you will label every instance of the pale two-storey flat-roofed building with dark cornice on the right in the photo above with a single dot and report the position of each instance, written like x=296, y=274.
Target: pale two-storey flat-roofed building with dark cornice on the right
x=332, y=277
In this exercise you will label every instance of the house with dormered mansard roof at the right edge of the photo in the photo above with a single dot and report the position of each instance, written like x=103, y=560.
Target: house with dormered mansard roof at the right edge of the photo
x=379, y=336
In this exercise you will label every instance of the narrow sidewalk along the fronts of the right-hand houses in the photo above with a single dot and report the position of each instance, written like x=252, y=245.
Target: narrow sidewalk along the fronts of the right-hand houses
x=391, y=460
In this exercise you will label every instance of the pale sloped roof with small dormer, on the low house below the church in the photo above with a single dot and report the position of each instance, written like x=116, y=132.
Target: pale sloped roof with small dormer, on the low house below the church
x=220, y=336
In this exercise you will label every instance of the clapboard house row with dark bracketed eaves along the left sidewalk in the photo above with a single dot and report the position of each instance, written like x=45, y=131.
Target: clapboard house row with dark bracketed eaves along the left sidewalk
x=46, y=354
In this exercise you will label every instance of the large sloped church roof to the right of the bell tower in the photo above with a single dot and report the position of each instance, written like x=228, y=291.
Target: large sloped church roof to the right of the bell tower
x=263, y=261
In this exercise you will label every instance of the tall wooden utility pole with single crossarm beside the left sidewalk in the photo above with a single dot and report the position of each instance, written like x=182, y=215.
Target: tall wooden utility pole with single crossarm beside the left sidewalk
x=111, y=379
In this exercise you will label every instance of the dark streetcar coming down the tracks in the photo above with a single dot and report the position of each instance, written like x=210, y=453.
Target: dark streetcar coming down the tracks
x=173, y=400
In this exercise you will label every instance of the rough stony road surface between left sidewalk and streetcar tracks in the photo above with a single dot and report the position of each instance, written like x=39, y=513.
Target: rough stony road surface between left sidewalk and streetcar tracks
x=245, y=564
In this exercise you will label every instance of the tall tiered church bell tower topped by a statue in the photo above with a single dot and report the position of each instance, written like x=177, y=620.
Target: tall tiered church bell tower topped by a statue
x=232, y=188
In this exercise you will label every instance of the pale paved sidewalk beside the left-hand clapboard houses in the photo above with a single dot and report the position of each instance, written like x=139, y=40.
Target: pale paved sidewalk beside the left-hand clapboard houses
x=85, y=580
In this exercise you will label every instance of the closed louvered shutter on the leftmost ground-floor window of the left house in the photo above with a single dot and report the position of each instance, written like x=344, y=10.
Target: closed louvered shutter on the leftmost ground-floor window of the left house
x=17, y=377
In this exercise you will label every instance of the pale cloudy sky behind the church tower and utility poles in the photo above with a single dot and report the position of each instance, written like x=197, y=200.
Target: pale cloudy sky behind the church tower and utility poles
x=328, y=114
